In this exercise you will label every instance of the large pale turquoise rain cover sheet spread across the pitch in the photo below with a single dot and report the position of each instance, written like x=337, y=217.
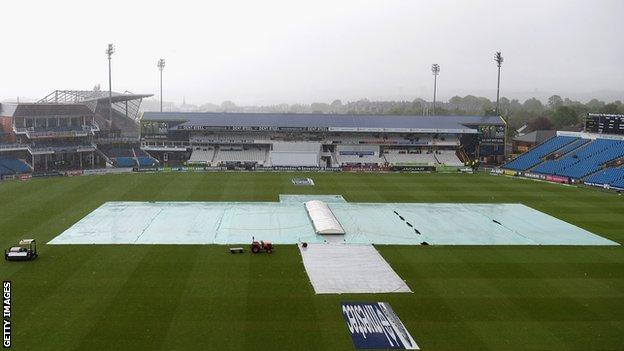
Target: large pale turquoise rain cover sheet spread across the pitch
x=287, y=222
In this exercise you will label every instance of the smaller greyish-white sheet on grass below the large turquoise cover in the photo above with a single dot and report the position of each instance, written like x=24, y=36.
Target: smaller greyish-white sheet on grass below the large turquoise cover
x=349, y=268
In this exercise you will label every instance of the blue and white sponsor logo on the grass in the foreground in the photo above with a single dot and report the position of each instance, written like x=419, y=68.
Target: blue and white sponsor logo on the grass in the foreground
x=375, y=325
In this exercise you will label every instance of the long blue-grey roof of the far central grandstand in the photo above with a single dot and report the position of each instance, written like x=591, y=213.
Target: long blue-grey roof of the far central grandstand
x=331, y=122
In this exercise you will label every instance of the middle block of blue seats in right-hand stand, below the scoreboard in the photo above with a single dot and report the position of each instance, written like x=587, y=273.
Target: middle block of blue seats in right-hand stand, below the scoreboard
x=585, y=160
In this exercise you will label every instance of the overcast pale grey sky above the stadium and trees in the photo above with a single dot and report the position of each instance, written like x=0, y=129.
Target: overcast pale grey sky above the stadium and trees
x=260, y=52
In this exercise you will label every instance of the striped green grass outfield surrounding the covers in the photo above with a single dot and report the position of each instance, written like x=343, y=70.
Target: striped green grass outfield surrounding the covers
x=203, y=298
